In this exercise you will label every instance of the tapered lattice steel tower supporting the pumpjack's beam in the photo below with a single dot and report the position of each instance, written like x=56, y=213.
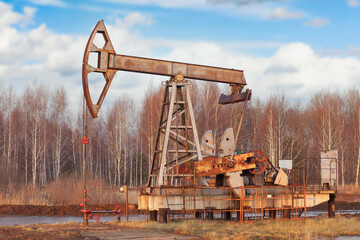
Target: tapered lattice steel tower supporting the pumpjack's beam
x=177, y=140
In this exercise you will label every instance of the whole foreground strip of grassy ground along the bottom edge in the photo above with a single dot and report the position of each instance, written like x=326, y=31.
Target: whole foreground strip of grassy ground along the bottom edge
x=314, y=228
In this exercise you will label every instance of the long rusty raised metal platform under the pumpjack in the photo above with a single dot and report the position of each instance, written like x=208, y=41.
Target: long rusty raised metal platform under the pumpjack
x=247, y=202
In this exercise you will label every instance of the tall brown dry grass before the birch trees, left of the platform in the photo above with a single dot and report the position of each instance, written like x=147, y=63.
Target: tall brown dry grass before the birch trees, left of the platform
x=63, y=192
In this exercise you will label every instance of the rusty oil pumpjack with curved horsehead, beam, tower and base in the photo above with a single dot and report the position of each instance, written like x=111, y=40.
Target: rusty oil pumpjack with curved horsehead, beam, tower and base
x=182, y=166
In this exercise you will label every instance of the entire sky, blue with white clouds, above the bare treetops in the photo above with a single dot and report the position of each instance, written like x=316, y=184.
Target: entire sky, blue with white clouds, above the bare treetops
x=296, y=47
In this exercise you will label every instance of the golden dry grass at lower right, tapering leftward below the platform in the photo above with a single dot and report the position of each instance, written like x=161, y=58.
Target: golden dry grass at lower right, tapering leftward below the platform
x=309, y=229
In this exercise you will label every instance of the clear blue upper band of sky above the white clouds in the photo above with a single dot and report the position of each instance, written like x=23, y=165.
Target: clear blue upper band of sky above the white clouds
x=337, y=24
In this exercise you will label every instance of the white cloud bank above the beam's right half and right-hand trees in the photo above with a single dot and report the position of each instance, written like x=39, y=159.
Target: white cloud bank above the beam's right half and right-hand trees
x=295, y=69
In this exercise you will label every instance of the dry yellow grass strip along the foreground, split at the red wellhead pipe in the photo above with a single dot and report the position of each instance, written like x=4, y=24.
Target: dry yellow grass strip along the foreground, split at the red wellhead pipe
x=315, y=228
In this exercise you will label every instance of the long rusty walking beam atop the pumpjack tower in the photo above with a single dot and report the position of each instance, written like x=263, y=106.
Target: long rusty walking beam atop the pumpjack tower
x=170, y=68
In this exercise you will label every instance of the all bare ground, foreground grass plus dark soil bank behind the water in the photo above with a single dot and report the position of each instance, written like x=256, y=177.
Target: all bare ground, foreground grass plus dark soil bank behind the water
x=313, y=228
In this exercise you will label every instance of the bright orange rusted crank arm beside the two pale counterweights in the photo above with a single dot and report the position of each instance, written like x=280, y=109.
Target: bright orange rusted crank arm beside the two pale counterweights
x=219, y=165
